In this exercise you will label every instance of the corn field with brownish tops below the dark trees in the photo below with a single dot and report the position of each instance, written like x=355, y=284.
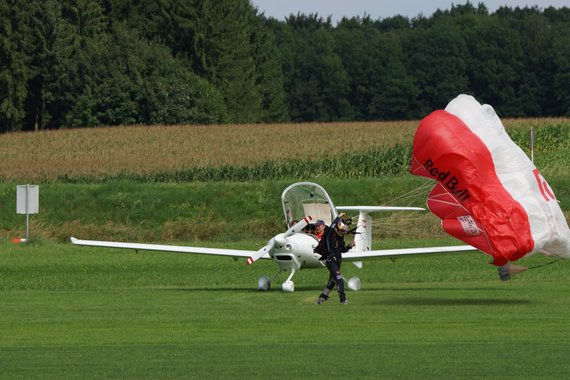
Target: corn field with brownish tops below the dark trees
x=236, y=152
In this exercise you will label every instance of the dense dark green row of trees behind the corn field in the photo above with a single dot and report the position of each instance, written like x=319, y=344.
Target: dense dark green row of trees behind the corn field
x=112, y=62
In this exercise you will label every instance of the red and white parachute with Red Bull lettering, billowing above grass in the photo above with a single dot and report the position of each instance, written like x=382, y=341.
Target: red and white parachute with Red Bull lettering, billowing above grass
x=488, y=193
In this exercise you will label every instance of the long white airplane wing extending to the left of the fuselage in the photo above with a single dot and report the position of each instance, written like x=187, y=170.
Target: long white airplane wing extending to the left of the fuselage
x=168, y=248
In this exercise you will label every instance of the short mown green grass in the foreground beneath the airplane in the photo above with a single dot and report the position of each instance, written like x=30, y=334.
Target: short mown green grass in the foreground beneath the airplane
x=71, y=312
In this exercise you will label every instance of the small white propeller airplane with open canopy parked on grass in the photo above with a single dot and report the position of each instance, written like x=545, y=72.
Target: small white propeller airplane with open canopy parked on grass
x=303, y=204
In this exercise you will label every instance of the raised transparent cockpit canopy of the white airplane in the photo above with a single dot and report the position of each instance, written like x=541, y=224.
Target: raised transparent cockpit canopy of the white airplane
x=304, y=199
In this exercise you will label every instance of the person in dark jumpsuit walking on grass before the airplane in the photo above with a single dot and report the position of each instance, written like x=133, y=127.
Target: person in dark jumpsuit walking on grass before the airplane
x=332, y=246
